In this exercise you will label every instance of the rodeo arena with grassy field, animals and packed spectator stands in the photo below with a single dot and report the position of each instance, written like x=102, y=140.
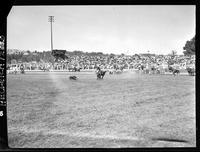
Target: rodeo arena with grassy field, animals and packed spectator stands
x=101, y=100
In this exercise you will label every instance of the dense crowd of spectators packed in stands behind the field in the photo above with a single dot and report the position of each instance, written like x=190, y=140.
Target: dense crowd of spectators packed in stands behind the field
x=112, y=62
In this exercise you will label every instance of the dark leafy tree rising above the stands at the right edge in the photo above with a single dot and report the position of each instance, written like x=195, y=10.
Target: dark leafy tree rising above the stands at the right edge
x=189, y=47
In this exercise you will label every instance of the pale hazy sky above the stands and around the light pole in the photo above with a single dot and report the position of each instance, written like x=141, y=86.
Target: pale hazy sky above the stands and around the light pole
x=116, y=29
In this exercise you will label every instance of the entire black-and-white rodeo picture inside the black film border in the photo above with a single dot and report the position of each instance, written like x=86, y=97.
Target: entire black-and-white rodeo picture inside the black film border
x=101, y=76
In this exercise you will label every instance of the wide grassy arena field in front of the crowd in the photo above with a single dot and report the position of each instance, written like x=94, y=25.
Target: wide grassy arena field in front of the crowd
x=47, y=110
